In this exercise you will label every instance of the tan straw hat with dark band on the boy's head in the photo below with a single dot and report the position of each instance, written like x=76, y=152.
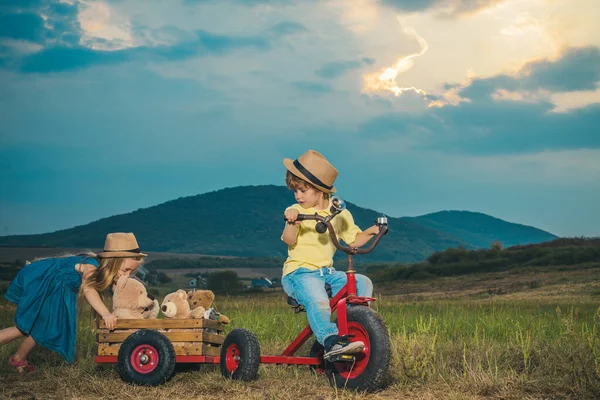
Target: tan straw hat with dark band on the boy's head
x=313, y=168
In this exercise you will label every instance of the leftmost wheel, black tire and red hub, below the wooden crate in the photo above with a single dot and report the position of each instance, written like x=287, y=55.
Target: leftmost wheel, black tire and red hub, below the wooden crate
x=146, y=357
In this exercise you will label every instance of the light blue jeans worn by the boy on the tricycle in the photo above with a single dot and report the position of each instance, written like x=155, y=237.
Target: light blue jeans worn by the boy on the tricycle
x=308, y=288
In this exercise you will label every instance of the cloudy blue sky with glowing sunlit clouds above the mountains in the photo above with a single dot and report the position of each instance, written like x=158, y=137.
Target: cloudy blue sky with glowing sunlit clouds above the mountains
x=422, y=105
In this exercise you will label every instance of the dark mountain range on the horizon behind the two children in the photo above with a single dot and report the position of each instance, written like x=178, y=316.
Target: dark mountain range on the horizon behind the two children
x=248, y=221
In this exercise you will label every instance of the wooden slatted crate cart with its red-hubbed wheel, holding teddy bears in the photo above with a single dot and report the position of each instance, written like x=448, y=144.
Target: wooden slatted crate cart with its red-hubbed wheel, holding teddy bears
x=146, y=350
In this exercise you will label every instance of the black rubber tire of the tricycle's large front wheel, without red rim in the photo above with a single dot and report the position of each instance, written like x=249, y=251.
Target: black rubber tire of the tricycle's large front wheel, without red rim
x=377, y=367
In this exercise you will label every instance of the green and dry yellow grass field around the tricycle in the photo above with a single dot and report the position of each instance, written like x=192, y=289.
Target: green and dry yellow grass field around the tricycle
x=512, y=335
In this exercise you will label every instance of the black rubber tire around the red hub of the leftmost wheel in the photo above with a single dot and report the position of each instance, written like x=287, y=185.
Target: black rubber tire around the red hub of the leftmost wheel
x=166, y=358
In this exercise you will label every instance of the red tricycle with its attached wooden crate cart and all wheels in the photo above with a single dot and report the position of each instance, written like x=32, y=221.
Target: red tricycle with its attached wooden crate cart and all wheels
x=148, y=356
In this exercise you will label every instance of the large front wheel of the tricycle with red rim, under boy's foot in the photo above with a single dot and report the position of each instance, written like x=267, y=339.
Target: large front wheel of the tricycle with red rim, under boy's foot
x=371, y=366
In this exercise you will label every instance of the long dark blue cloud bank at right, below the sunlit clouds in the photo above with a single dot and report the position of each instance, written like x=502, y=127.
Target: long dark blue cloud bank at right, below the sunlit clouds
x=494, y=127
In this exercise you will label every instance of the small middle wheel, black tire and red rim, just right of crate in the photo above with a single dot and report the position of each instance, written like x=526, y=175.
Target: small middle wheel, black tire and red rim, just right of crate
x=249, y=355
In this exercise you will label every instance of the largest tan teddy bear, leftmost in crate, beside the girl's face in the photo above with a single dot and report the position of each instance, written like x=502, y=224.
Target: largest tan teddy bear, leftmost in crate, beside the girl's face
x=132, y=301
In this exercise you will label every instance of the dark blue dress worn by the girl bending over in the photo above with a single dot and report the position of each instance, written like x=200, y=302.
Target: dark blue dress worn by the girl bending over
x=45, y=293
